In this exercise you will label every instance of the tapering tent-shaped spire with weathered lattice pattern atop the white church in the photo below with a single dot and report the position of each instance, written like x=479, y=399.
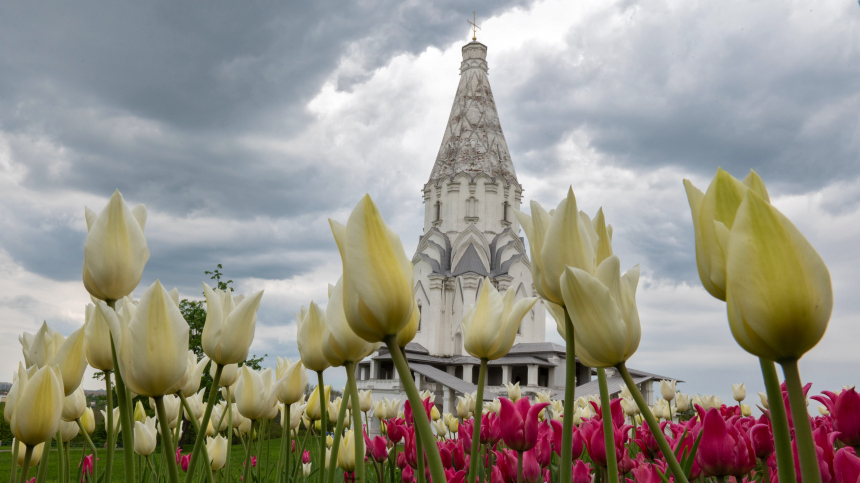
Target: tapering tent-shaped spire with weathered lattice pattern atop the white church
x=473, y=142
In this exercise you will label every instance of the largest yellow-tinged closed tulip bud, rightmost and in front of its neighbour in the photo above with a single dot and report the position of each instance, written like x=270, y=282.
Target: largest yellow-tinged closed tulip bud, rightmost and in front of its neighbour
x=779, y=290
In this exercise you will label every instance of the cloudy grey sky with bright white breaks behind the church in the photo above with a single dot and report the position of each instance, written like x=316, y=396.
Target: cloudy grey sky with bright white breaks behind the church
x=243, y=127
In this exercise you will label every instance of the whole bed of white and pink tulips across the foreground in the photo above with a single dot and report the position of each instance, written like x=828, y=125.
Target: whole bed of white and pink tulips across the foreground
x=778, y=298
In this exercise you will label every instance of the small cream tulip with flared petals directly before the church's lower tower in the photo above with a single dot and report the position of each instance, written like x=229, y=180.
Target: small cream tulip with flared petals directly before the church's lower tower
x=490, y=327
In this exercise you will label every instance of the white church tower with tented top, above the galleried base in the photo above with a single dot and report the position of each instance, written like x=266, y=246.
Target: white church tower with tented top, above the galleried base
x=470, y=231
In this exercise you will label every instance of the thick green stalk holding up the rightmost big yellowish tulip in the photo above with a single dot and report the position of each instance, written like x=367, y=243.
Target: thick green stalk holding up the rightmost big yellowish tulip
x=802, y=430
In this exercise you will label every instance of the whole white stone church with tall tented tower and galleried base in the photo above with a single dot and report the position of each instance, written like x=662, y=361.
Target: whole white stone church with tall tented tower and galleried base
x=470, y=232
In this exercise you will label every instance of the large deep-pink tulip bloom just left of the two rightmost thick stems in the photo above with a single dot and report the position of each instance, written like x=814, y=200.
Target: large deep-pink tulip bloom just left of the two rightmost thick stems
x=724, y=450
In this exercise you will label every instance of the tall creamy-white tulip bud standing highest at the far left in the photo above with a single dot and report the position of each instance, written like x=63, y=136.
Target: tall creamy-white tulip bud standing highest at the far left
x=115, y=250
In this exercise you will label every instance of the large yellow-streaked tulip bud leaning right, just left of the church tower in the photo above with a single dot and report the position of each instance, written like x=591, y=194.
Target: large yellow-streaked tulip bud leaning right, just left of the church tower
x=377, y=274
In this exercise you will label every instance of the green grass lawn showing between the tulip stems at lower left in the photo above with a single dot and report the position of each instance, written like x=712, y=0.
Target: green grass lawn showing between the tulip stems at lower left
x=237, y=458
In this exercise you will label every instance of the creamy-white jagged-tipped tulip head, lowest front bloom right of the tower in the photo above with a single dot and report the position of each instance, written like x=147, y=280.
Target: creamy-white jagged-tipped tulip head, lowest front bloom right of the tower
x=603, y=310
